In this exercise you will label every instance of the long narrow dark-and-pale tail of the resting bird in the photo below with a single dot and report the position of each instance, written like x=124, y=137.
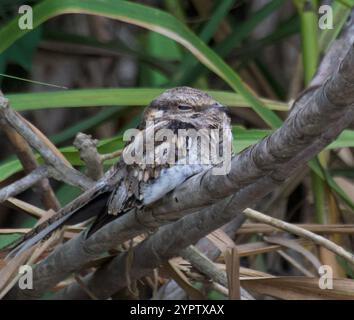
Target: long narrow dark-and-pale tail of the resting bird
x=87, y=205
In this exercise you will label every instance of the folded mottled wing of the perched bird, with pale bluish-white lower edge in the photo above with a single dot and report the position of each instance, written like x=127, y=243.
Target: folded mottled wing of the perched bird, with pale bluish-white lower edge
x=146, y=182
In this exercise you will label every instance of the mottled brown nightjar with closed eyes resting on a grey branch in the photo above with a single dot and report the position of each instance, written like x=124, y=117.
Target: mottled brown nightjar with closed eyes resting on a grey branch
x=148, y=170
